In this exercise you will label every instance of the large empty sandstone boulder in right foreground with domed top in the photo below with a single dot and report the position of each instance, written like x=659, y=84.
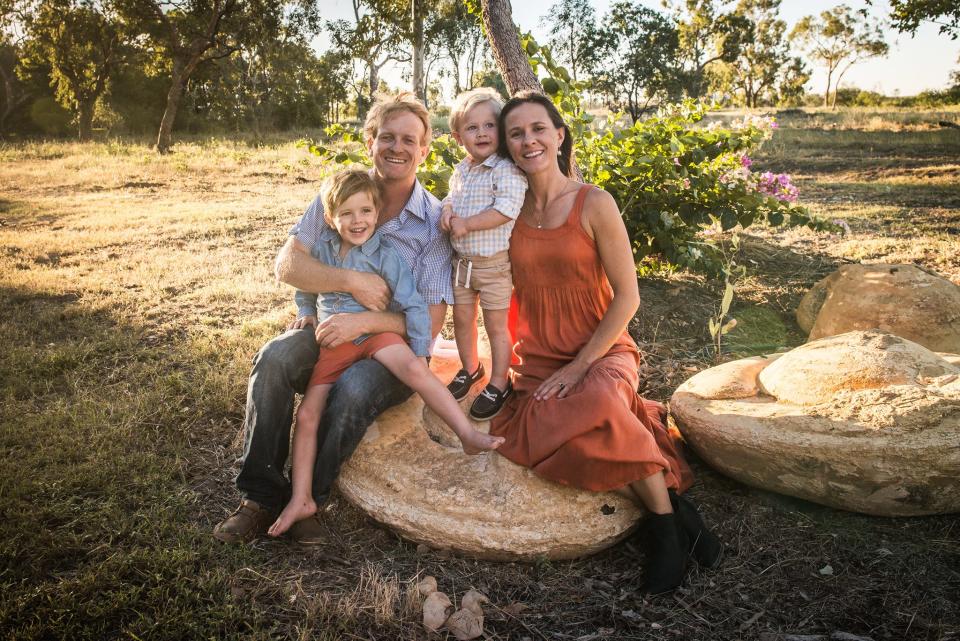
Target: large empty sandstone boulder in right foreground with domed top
x=864, y=421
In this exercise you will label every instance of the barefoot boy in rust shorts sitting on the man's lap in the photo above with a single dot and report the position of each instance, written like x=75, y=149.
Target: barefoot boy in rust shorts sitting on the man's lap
x=351, y=199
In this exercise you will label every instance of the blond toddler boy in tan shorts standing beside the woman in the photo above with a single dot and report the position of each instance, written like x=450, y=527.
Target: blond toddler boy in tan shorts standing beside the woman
x=486, y=193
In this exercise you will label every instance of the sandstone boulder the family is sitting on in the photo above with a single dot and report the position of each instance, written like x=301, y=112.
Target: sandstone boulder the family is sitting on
x=410, y=474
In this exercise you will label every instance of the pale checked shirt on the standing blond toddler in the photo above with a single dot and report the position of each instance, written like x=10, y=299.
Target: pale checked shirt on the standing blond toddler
x=495, y=183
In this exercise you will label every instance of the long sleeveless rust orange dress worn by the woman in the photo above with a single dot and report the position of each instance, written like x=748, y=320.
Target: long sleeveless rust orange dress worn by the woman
x=602, y=435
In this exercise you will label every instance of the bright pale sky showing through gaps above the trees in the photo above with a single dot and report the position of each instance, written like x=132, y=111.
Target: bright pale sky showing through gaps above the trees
x=913, y=64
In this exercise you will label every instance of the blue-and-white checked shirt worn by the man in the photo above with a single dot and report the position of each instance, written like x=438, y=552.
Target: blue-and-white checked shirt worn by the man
x=415, y=235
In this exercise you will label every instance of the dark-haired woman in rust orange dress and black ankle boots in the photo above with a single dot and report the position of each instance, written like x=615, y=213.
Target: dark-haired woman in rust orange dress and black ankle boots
x=576, y=417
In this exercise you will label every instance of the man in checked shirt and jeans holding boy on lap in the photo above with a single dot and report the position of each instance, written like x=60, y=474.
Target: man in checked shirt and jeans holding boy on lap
x=397, y=133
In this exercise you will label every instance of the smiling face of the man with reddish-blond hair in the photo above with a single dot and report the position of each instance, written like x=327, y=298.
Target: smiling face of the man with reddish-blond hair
x=399, y=147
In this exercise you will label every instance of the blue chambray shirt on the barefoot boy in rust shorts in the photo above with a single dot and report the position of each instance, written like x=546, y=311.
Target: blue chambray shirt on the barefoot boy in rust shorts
x=377, y=256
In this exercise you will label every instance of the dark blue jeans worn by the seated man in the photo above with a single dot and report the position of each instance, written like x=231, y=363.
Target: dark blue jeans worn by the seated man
x=282, y=369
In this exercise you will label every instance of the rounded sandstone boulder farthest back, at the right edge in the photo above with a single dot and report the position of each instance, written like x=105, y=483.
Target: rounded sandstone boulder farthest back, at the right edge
x=900, y=299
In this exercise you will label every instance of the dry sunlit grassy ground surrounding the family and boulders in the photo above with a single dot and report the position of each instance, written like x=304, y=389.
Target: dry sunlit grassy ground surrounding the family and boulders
x=135, y=289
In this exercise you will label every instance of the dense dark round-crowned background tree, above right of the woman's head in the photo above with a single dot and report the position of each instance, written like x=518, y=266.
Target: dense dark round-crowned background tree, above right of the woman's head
x=632, y=58
